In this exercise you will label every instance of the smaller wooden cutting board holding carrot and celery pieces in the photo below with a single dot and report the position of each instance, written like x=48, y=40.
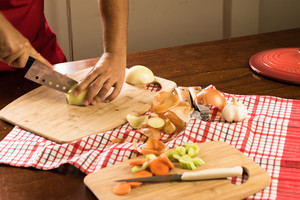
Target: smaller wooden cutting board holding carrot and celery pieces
x=215, y=154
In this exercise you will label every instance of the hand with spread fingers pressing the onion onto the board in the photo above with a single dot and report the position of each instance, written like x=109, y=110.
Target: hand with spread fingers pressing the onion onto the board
x=108, y=72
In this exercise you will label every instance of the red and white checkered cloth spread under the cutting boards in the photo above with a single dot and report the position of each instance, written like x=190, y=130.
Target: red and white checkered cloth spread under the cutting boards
x=270, y=136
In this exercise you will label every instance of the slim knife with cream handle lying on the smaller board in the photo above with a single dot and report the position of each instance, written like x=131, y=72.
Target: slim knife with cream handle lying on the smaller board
x=207, y=174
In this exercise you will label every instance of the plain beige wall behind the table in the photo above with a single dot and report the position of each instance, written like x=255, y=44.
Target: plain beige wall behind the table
x=163, y=23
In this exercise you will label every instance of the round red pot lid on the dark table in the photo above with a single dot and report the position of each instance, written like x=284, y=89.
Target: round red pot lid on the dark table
x=281, y=64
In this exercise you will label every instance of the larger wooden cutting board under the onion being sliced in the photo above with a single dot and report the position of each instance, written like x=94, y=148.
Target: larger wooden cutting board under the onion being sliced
x=45, y=112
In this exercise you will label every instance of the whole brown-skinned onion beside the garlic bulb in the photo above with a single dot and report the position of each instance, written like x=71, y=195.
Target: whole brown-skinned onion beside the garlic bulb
x=211, y=96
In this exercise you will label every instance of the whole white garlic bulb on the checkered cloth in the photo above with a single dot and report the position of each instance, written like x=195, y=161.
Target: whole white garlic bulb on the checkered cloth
x=234, y=111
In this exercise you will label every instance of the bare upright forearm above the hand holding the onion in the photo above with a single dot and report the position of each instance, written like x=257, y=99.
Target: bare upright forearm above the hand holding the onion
x=114, y=16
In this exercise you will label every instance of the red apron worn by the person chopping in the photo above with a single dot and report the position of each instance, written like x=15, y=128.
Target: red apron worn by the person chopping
x=28, y=17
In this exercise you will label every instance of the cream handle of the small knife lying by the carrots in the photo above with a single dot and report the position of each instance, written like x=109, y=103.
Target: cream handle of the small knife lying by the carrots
x=212, y=173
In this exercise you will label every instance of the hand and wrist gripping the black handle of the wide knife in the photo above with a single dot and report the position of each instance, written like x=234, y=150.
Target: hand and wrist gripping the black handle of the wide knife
x=15, y=49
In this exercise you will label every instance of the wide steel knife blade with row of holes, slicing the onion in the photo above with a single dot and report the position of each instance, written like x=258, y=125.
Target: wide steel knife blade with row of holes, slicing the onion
x=42, y=75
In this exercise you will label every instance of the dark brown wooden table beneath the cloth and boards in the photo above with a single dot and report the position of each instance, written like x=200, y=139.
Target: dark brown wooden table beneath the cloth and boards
x=223, y=63
